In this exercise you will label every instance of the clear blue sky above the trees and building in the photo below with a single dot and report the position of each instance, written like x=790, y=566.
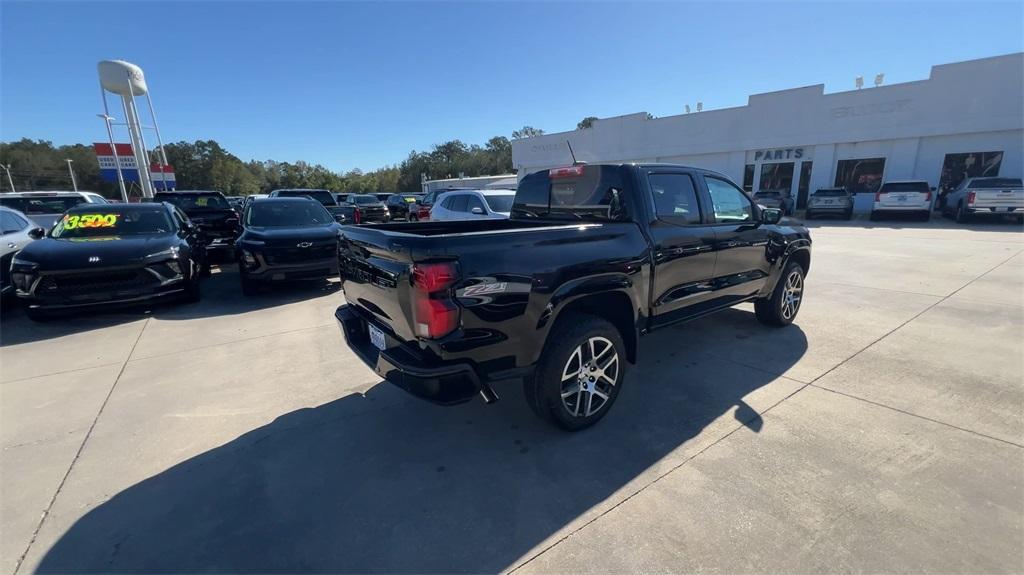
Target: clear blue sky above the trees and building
x=361, y=85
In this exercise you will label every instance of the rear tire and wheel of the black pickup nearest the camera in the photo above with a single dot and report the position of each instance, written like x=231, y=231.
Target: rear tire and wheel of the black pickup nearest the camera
x=571, y=387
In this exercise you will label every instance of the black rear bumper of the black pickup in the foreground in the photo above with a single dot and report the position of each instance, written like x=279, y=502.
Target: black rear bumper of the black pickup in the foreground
x=438, y=382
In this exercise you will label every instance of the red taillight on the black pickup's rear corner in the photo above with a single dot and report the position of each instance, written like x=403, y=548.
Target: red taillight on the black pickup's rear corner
x=435, y=313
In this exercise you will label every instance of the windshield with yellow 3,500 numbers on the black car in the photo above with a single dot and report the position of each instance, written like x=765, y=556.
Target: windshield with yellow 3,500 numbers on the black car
x=111, y=223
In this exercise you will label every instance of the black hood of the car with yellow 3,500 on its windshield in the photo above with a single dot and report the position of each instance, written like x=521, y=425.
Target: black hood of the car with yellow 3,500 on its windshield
x=56, y=254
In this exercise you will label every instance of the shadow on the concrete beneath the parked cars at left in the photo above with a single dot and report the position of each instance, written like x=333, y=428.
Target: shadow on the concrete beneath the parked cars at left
x=222, y=297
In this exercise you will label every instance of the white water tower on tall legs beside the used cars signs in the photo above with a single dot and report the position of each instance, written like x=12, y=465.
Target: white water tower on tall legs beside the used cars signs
x=127, y=81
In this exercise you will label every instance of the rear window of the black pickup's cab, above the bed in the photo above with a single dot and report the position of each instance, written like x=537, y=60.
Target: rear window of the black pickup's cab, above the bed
x=576, y=193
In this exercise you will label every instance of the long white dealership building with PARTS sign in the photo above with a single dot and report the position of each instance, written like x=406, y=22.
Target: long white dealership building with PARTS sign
x=967, y=119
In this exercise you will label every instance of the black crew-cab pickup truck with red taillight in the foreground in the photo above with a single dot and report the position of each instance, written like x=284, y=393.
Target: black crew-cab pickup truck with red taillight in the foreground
x=593, y=257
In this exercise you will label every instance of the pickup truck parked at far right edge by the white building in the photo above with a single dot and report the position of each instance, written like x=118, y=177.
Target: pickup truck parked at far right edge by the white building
x=986, y=197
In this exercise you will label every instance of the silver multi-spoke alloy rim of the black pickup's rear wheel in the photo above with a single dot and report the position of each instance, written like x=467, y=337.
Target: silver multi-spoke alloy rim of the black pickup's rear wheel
x=589, y=377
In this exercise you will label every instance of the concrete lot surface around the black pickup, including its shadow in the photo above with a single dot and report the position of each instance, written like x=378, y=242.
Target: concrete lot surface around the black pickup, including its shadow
x=883, y=432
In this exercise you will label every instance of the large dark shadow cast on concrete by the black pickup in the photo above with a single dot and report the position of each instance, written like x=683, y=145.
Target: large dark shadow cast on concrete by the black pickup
x=380, y=482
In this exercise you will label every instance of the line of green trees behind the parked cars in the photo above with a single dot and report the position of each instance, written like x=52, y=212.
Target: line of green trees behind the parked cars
x=206, y=165
